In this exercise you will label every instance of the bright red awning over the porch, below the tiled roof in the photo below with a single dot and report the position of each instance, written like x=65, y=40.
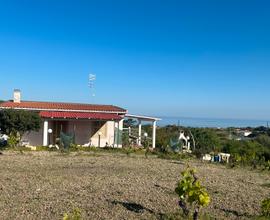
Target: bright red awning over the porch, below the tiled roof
x=80, y=115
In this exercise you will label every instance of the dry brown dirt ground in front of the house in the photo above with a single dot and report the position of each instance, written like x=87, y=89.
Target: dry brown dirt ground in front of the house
x=45, y=185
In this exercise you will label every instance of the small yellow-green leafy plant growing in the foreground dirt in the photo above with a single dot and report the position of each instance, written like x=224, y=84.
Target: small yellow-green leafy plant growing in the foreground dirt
x=192, y=195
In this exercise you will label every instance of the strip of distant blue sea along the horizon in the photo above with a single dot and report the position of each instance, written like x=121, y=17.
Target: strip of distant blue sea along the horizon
x=211, y=122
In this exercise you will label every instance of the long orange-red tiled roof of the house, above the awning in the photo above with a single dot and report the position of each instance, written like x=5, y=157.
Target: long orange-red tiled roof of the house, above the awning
x=59, y=106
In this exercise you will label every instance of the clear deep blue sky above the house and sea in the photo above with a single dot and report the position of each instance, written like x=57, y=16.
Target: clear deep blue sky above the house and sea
x=164, y=58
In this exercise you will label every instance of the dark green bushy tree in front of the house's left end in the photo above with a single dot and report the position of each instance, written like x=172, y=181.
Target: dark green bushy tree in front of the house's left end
x=17, y=122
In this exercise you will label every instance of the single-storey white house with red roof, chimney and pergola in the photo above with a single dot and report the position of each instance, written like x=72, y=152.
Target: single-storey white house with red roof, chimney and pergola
x=96, y=125
